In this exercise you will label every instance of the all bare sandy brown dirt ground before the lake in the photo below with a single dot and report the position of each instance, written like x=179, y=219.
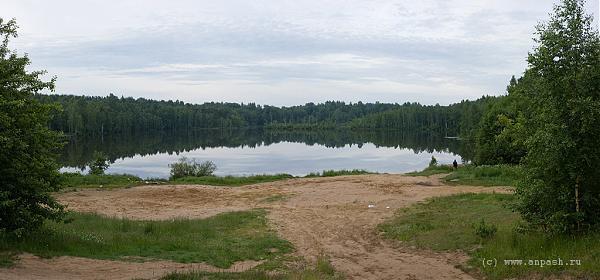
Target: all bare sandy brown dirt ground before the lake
x=320, y=216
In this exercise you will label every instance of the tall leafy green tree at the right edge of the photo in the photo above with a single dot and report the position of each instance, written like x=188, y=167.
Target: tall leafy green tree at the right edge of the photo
x=560, y=191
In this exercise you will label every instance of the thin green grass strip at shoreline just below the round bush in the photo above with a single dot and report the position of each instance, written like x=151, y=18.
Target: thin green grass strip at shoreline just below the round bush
x=231, y=180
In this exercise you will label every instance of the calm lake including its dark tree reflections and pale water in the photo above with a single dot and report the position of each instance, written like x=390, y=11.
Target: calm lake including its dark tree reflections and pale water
x=247, y=152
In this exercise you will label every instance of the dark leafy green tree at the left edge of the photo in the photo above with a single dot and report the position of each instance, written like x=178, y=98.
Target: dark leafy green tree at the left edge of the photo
x=27, y=147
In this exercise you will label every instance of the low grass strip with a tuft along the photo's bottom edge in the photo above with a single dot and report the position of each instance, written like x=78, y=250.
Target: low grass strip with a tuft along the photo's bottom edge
x=321, y=270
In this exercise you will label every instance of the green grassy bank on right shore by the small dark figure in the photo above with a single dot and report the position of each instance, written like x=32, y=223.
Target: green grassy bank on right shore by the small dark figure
x=484, y=175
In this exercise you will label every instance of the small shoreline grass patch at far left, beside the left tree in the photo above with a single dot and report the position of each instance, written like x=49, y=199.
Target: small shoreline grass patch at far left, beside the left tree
x=77, y=180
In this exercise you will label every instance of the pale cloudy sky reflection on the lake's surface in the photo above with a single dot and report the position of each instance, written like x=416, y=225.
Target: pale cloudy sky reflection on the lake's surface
x=286, y=157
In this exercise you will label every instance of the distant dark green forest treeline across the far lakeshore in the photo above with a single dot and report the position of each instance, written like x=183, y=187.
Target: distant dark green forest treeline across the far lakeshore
x=110, y=115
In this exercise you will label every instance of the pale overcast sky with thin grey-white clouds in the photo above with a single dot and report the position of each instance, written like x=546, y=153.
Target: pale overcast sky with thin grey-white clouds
x=280, y=52
